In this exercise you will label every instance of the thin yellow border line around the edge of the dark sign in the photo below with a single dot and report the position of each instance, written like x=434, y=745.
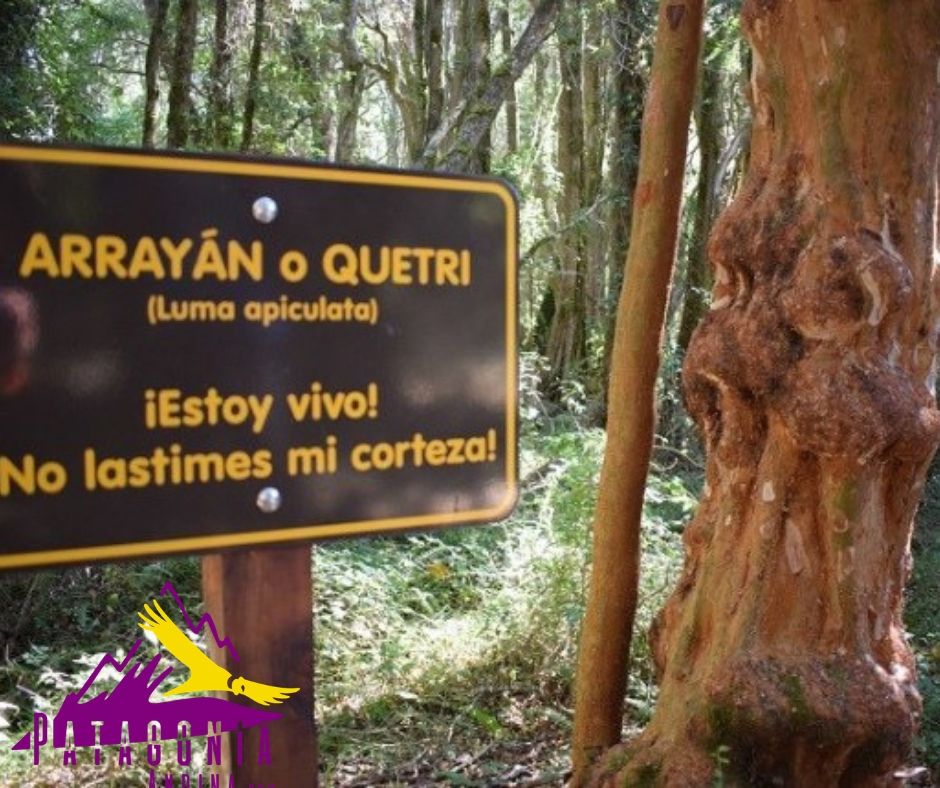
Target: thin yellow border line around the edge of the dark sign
x=298, y=171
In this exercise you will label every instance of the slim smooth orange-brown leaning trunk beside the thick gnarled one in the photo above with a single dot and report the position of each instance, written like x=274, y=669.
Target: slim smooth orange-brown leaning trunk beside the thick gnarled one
x=606, y=631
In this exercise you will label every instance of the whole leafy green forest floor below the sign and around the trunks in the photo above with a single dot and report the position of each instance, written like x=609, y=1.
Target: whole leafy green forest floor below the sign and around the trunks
x=444, y=658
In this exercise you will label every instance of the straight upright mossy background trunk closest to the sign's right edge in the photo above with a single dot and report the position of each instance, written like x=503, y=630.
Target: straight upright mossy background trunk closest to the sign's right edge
x=566, y=336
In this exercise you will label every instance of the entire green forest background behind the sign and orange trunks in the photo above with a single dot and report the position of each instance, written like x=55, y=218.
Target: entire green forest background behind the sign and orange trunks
x=445, y=658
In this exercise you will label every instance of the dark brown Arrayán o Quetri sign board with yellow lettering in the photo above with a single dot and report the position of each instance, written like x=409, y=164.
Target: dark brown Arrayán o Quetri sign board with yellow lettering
x=199, y=353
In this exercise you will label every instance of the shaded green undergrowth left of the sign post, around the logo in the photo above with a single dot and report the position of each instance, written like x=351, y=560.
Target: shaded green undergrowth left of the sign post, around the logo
x=55, y=625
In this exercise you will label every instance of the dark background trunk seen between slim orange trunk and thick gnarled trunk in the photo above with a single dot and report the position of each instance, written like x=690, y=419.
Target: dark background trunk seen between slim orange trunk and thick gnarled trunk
x=708, y=128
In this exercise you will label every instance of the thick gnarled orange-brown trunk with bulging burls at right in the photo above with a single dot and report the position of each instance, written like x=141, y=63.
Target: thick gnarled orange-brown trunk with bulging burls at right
x=812, y=381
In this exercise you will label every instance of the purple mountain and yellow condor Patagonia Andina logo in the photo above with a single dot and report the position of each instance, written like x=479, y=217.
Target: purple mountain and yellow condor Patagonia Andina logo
x=133, y=712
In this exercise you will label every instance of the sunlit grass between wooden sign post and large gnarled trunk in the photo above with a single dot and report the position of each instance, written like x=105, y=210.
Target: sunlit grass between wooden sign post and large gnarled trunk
x=459, y=646
